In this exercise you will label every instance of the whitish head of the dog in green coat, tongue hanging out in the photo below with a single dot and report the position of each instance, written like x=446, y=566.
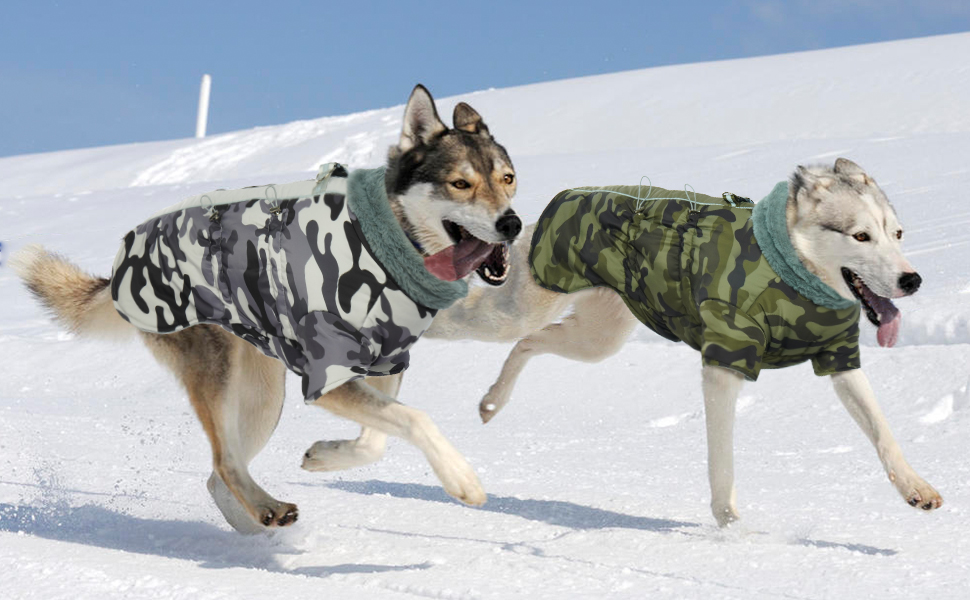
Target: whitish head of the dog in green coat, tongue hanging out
x=846, y=231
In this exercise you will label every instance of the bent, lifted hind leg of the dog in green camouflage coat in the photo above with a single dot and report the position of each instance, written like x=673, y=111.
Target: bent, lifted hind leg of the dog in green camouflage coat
x=596, y=329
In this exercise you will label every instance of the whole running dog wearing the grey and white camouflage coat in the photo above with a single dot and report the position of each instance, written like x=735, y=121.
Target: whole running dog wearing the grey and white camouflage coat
x=334, y=278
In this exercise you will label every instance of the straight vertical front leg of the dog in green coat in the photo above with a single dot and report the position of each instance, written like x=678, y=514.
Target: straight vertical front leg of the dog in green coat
x=721, y=387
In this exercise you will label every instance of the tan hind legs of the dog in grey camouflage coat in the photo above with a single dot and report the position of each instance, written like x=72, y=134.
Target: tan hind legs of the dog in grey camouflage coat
x=237, y=395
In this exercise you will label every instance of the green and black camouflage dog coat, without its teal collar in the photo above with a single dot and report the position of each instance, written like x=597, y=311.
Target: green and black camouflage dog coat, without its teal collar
x=691, y=270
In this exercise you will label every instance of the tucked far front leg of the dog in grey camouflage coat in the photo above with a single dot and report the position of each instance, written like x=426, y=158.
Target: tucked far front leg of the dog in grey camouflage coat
x=336, y=455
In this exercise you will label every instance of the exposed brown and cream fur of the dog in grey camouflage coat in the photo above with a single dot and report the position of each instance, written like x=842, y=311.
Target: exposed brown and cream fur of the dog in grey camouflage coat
x=237, y=392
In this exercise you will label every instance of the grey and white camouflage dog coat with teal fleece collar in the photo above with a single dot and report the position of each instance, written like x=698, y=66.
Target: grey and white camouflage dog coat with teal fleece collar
x=289, y=269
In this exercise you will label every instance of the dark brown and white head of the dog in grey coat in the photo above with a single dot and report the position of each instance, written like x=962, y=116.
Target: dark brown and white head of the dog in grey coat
x=452, y=189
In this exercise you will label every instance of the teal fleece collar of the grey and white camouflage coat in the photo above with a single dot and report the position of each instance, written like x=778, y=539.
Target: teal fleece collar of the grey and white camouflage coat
x=367, y=197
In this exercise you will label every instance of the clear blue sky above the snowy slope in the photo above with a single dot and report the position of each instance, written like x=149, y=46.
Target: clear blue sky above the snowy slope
x=80, y=74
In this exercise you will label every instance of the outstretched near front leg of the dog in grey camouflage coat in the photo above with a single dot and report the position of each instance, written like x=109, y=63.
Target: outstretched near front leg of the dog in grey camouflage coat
x=370, y=407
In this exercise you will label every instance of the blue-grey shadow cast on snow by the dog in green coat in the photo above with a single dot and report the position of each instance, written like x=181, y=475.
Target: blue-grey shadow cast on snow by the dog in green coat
x=567, y=514
